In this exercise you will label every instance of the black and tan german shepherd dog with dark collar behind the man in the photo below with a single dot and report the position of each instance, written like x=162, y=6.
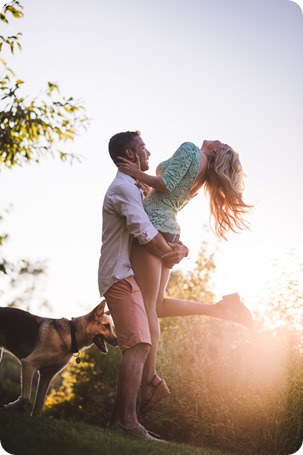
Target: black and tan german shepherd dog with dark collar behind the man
x=47, y=345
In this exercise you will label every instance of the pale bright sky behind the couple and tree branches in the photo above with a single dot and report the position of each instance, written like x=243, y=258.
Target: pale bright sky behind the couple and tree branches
x=177, y=71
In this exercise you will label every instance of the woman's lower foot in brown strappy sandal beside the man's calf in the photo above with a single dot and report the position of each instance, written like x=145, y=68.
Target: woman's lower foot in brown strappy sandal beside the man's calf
x=152, y=392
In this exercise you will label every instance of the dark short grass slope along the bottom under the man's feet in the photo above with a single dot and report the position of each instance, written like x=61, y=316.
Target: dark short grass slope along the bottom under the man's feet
x=24, y=435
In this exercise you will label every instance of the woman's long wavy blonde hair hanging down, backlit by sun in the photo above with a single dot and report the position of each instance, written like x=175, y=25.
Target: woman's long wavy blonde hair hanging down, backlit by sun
x=225, y=184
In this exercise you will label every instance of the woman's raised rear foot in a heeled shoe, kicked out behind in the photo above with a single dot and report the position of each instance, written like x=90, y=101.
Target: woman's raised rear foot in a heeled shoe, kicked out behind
x=233, y=309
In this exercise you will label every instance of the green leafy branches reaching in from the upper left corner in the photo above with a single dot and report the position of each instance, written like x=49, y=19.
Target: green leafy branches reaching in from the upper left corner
x=33, y=128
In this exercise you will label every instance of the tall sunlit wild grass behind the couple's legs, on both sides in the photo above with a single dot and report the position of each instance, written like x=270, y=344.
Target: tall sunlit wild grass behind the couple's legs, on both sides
x=231, y=389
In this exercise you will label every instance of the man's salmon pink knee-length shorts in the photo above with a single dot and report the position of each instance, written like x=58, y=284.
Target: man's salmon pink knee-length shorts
x=126, y=305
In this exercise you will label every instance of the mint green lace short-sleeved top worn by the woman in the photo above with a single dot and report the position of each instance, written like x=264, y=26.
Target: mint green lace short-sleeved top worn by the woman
x=179, y=173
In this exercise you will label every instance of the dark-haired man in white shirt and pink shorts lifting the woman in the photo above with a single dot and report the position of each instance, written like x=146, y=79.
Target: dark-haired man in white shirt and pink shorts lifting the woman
x=124, y=218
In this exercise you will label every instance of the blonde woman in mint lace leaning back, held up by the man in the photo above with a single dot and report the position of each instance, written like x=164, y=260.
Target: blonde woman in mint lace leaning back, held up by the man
x=217, y=168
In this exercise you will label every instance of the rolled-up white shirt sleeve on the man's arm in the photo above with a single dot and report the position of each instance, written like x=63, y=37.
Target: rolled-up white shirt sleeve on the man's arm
x=128, y=203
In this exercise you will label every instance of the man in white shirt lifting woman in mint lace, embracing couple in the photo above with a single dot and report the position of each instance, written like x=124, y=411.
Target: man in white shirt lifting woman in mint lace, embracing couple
x=141, y=243
